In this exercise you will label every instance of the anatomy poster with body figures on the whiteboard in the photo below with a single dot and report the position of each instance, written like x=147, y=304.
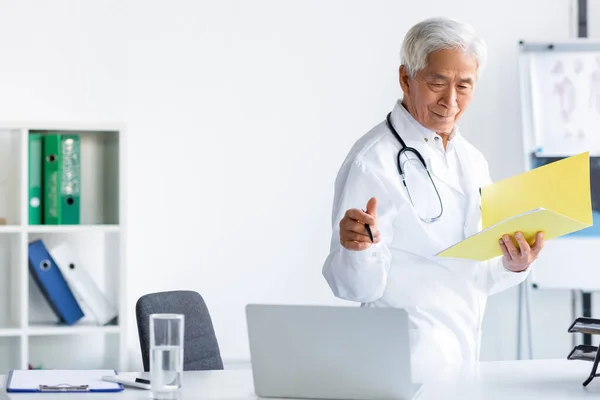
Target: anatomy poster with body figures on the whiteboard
x=566, y=102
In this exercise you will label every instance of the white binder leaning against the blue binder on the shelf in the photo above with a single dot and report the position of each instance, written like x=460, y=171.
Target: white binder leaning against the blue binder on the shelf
x=83, y=286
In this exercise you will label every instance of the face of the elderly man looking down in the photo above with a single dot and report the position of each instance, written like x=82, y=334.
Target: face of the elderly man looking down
x=441, y=92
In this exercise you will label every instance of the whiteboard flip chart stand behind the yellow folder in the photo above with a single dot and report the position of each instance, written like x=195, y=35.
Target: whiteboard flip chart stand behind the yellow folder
x=560, y=113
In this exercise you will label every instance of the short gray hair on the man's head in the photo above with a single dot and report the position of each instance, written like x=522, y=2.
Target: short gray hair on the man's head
x=435, y=34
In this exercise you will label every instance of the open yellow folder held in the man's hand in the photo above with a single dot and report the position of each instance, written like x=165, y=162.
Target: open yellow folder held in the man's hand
x=554, y=198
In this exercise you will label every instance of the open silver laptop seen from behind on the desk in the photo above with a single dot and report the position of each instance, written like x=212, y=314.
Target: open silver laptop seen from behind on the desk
x=329, y=352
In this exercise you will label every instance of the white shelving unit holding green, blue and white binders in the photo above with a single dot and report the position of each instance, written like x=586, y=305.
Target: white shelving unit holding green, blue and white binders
x=30, y=332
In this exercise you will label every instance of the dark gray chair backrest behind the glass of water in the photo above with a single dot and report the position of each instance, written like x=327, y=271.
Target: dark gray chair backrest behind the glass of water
x=201, y=349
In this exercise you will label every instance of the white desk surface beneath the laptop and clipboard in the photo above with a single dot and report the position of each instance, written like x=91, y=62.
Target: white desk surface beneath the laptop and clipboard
x=535, y=379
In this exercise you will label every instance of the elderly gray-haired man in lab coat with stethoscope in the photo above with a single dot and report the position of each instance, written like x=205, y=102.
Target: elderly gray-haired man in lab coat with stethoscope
x=394, y=263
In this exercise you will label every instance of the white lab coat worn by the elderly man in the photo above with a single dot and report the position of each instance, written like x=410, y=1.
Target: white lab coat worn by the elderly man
x=445, y=298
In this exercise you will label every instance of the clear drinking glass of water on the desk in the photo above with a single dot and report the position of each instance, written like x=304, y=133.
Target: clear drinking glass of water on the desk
x=166, y=355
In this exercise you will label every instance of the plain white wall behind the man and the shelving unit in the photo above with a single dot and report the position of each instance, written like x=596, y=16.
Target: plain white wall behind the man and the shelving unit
x=239, y=115
